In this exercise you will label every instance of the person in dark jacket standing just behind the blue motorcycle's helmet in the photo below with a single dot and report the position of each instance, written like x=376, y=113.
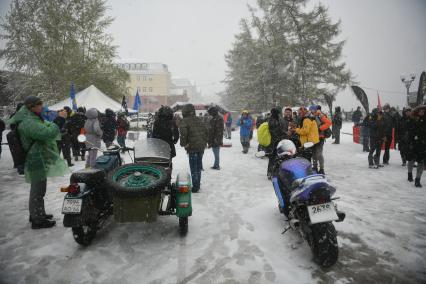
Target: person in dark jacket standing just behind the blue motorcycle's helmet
x=277, y=128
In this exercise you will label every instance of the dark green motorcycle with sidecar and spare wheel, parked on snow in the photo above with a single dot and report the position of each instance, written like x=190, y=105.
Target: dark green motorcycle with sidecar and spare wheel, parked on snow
x=133, y=192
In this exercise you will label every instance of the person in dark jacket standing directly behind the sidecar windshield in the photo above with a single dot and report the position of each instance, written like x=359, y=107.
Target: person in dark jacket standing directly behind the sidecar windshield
x=165, y=128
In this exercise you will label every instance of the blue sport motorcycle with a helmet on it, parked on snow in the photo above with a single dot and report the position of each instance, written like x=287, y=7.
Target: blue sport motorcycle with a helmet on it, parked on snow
x=306, y=199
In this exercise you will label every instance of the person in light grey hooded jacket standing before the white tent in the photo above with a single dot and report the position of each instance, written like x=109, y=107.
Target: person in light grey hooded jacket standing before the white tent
x=93, y=136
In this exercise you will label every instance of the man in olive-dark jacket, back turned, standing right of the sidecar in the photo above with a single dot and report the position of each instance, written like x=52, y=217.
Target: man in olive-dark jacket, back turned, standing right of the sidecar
x=193, y=137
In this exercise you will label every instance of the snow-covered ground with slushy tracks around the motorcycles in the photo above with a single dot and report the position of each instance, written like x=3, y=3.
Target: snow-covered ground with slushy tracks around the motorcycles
x=234, y=233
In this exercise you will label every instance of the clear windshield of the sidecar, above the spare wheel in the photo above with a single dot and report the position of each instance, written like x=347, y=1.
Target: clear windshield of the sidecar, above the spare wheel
x=152, y=150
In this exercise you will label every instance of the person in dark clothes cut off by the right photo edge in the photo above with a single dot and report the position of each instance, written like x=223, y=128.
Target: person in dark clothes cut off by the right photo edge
x=416, y=151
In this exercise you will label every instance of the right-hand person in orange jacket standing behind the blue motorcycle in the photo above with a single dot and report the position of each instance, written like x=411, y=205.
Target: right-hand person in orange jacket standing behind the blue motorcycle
x=324, y=124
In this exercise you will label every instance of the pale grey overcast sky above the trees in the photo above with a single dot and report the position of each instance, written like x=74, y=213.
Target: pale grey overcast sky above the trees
x=384, y=39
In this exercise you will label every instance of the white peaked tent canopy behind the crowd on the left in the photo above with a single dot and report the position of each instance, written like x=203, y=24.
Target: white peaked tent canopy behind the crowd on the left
x=91, y=97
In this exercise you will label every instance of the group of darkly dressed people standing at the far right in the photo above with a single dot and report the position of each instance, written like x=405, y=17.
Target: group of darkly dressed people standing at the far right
x=408, y=132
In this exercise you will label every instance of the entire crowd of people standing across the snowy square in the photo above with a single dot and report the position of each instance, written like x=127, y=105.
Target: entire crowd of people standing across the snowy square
x=44, y=138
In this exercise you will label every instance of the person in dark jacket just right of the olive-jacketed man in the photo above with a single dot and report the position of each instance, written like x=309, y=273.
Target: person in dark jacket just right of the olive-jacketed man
x=215, y=135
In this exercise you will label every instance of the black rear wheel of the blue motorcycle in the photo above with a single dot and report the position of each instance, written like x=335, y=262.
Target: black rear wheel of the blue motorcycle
x=324, y=244
